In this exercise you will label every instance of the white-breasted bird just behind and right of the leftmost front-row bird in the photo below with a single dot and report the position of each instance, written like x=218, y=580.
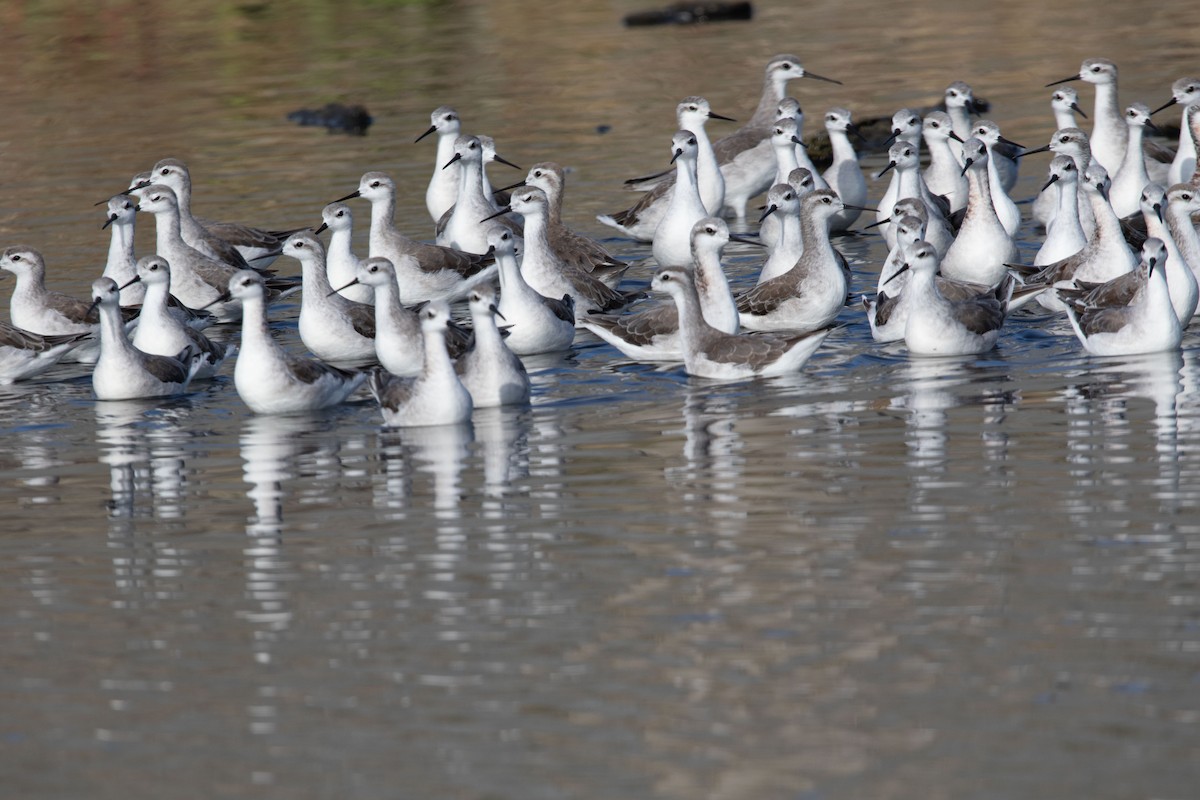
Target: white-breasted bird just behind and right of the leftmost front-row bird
x=160, y=333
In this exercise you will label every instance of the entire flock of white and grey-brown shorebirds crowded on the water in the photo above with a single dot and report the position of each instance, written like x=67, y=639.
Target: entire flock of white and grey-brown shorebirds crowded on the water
x=950, y=280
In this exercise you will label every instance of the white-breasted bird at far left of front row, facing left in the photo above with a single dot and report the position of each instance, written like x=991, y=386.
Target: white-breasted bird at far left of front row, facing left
x=123, y=372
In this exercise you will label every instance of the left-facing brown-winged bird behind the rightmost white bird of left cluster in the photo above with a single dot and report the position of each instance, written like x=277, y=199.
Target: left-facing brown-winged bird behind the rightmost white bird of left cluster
x=547, y=273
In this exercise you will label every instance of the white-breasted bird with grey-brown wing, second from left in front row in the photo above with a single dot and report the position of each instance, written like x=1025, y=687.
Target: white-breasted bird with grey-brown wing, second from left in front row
x=272, y=381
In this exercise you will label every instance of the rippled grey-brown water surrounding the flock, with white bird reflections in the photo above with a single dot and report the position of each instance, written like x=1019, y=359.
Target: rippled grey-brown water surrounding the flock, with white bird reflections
x=881, y=579
